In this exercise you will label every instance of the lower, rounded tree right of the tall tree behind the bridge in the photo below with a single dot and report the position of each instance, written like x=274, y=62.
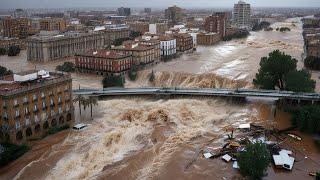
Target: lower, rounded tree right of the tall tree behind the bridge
x=299, y=81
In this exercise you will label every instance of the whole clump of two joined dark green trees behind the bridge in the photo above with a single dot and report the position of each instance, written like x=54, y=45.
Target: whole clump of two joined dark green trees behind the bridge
x=279, y=71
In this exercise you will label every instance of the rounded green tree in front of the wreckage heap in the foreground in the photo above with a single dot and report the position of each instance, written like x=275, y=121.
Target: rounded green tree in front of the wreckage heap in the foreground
x=254, y=161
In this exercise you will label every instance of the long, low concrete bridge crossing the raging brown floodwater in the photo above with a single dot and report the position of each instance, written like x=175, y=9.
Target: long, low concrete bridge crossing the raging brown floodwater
x=234, y=93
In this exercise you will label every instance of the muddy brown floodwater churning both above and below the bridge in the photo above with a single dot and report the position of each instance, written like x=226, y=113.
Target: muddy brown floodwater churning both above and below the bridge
x=146, y=138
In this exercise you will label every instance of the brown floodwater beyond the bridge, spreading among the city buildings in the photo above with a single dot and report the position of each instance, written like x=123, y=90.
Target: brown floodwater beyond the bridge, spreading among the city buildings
x=236, y=60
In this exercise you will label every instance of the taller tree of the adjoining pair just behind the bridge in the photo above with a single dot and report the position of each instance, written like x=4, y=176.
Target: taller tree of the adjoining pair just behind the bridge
x=273, y=70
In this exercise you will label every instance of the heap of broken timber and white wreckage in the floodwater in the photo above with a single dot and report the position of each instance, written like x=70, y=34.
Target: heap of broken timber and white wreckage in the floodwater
x=245, y=134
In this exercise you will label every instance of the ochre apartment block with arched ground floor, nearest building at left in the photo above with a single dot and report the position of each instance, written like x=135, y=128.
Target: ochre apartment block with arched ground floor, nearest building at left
x=32, y=102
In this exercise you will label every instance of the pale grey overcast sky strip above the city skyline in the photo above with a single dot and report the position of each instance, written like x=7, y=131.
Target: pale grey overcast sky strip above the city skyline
x=9, y=4
